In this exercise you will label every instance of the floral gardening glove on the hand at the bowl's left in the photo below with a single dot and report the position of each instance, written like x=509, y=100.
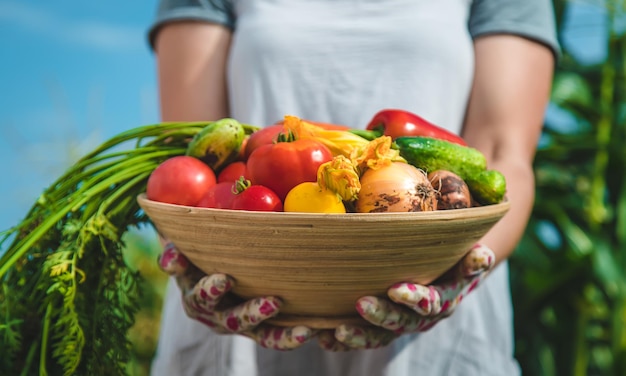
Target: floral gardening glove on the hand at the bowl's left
x=206, y=299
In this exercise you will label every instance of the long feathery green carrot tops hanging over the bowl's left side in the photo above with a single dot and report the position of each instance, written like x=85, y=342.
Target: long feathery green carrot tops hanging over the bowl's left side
x=68, y=296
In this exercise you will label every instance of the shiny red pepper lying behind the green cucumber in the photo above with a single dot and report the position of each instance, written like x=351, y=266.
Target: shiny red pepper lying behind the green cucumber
x=397, y=123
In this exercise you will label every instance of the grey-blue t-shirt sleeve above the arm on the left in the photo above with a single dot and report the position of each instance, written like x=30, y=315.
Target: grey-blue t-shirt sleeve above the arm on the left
x=215, y=11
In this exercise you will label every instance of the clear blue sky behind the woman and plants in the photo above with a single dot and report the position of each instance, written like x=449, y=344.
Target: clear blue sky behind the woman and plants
x=74, y=73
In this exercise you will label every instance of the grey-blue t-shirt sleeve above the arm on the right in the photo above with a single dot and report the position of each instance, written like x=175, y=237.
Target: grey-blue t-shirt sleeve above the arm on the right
x=532, y=19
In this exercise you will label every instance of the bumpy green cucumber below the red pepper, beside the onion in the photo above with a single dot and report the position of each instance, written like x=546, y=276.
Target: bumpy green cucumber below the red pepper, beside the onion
x=430, y=154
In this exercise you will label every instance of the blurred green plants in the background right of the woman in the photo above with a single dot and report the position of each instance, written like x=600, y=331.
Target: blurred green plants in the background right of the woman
x=569, y=273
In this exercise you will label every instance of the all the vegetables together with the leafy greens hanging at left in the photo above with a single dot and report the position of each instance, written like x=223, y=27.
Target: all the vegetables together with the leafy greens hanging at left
x=68, y=298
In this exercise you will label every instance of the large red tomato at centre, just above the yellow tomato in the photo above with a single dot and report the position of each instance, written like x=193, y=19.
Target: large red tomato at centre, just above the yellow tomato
x=283, y=165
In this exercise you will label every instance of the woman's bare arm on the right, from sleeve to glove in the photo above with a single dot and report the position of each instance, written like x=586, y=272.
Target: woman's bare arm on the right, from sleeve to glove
x=513, y=77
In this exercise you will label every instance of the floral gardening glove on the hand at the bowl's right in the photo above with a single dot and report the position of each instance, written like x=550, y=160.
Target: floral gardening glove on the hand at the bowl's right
x=411, y=308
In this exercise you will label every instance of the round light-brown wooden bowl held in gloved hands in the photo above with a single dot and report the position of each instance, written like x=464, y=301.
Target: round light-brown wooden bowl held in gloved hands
x=320, y=264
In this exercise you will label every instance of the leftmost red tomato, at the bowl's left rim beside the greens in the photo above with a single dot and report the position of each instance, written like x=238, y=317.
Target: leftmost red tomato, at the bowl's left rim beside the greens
x=180, y=180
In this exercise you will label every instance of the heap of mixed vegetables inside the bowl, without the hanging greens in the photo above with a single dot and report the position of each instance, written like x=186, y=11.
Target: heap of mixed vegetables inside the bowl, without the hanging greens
x=303, y=166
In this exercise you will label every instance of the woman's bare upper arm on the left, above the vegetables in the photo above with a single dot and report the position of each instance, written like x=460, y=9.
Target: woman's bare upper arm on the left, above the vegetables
x=191, y=62
